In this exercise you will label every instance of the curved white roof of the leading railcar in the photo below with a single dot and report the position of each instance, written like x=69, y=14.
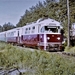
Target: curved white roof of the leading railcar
x=46, y=21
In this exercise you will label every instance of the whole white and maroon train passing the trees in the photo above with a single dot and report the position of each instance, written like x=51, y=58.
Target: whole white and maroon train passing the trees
x=45, y=34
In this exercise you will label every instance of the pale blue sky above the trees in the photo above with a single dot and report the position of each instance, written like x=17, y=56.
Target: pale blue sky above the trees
x=12, y=10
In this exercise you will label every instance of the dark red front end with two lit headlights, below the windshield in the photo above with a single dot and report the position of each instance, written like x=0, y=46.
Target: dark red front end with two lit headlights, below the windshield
x=53, y=42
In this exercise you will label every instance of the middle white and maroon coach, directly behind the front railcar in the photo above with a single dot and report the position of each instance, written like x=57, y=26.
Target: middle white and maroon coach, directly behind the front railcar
x=13, y=35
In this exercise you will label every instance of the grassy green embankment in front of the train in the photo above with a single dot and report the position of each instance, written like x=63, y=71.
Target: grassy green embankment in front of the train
x=36, y=62
